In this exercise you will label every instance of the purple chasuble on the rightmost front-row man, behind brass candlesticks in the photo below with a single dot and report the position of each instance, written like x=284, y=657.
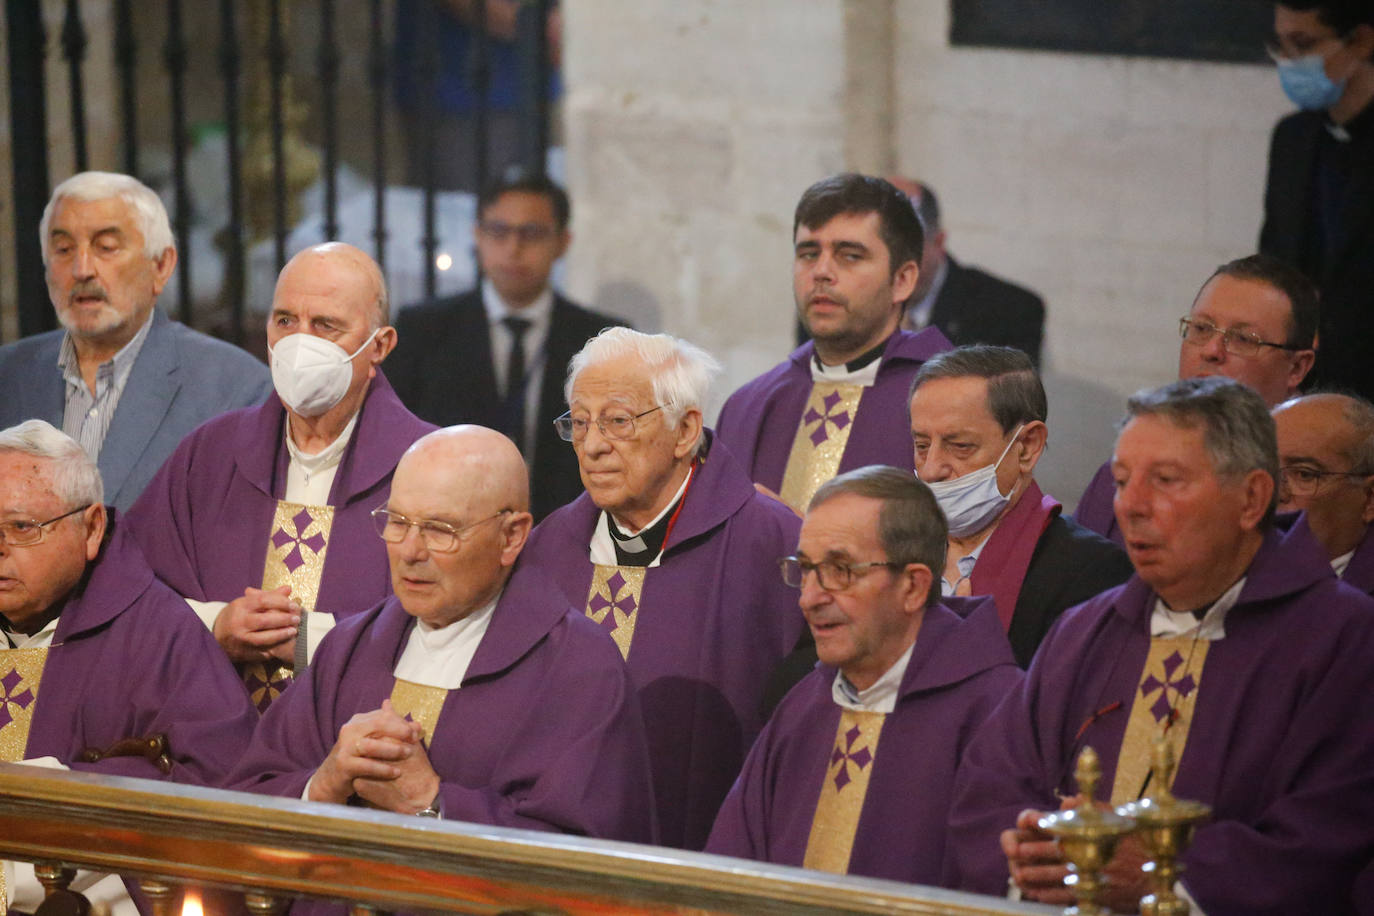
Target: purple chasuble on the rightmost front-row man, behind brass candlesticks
x=1280, y=746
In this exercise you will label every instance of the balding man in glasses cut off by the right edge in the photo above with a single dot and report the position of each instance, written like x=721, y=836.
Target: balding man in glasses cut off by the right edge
x=1327, y=470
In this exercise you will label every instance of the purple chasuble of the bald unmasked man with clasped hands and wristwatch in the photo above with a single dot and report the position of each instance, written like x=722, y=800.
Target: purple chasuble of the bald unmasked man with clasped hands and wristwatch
x=545, y=733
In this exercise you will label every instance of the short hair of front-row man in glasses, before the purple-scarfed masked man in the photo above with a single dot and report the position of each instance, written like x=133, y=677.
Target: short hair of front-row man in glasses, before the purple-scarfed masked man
x=912, y=528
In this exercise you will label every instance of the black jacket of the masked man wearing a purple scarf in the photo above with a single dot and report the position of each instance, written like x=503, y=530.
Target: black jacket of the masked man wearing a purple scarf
x=1070, y=566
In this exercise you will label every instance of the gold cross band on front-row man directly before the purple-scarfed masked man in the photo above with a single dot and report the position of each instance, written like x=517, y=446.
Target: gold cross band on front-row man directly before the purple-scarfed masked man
x=843, y=792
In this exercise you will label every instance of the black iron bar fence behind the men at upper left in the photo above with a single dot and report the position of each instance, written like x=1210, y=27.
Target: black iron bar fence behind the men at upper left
x=248, y=53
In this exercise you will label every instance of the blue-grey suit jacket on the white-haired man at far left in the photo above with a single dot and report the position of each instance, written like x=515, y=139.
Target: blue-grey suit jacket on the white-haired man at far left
x=181, y=380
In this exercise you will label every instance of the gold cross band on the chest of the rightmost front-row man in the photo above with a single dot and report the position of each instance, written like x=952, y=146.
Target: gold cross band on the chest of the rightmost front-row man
x=1163, y=705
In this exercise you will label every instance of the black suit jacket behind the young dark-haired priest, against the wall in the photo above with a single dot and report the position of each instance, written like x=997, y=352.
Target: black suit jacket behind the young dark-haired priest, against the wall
x=975, y=307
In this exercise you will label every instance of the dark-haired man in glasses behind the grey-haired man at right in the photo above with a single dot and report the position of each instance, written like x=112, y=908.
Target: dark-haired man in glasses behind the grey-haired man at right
x=1254, y=321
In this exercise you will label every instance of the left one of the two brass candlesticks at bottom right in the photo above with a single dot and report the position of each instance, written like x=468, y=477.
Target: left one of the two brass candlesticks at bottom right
x=1088, y=837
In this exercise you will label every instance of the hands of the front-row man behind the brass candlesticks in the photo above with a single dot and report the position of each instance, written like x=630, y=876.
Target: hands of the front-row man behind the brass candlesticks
x=1039, y=870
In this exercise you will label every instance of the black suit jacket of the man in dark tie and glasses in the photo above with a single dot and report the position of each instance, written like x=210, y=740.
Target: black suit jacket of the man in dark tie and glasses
x=443, y=371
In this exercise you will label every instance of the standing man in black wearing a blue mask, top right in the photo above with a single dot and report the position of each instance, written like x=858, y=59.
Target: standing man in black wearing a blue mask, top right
x=1320, y=193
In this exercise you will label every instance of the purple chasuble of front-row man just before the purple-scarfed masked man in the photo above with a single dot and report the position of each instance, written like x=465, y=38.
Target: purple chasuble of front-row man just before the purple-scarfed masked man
x=960, y=671
